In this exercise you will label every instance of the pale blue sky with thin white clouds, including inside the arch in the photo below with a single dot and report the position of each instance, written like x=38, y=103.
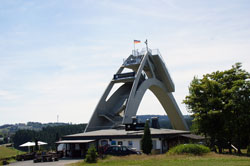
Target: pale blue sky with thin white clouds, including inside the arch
x=57, y=57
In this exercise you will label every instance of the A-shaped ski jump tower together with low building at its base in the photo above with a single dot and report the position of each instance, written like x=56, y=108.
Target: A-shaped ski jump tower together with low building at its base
x=113, y=121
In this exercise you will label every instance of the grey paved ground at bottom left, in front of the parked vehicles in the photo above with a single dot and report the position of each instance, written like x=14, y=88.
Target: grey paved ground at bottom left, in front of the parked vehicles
x=55, y=163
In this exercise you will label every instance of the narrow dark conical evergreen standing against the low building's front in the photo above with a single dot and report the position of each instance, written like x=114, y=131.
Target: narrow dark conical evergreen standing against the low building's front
x=146, y=142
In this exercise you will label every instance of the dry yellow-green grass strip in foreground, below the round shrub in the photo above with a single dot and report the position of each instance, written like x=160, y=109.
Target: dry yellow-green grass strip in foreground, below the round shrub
x=210, y=159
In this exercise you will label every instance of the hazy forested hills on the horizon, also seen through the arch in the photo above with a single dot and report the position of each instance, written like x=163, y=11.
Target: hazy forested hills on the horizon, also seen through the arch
x=33, y=129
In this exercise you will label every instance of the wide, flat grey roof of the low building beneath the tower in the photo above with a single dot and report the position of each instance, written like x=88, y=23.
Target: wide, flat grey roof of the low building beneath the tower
x=124, y=133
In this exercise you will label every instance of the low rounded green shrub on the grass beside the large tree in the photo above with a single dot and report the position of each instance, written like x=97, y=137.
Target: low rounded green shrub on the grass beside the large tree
x=195, y=149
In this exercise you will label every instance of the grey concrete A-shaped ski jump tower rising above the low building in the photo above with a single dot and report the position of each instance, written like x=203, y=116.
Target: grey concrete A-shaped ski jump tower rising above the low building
x=148, y=72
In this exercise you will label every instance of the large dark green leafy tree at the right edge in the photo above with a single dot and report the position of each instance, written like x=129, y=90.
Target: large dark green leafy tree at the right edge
x=220, y=105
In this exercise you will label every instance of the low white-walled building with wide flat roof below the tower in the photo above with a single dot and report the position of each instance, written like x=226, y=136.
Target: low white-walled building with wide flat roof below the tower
x=163, y=139
